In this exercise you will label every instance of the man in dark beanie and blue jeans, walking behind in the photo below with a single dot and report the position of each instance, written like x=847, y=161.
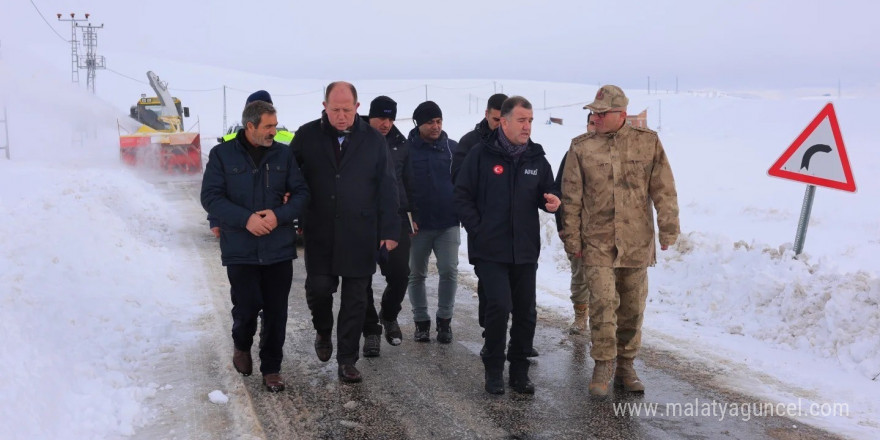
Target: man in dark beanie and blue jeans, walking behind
x=437, y=230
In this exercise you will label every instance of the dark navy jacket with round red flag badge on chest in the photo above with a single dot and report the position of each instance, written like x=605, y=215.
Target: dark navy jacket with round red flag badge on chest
x=497, y=200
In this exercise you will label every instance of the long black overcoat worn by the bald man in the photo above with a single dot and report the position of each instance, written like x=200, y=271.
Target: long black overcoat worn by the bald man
x=353, y=203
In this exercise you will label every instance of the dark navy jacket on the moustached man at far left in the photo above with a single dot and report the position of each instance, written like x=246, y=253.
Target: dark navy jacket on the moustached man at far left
x=234, y=187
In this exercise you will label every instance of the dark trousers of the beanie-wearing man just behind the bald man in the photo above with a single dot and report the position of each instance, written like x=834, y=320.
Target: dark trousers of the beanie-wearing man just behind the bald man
x=396, y=272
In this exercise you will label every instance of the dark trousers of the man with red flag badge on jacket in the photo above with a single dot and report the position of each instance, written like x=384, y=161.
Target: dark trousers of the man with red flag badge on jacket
x=509, y=290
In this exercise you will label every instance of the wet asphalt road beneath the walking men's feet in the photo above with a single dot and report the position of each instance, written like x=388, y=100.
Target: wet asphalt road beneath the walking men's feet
x=432, y=390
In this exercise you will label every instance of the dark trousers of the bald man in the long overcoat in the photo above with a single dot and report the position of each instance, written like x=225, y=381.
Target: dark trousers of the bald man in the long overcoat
x=353, y=302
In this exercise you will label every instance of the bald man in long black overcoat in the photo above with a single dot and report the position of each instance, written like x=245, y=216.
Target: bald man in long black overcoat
x=352, y=218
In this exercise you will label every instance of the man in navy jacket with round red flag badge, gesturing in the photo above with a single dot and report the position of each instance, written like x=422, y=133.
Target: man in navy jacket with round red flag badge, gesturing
x=500, y=187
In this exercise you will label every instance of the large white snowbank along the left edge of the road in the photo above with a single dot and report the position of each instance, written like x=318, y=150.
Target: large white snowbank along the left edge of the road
x=91, y=293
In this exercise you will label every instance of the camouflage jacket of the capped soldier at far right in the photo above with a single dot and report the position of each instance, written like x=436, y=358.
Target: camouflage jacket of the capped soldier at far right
x=609, y=185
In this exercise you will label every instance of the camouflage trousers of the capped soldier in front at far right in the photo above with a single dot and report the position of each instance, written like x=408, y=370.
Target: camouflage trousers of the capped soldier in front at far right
x=617, y=307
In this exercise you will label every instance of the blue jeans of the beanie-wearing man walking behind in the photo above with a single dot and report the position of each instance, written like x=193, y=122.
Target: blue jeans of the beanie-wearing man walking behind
x=444, y=243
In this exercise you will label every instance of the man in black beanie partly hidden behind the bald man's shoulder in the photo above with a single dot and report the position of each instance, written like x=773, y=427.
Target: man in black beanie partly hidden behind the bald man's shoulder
x=395, y=267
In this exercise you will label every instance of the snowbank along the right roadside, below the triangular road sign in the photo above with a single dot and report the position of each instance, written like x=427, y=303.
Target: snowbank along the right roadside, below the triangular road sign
x=763, y=292
